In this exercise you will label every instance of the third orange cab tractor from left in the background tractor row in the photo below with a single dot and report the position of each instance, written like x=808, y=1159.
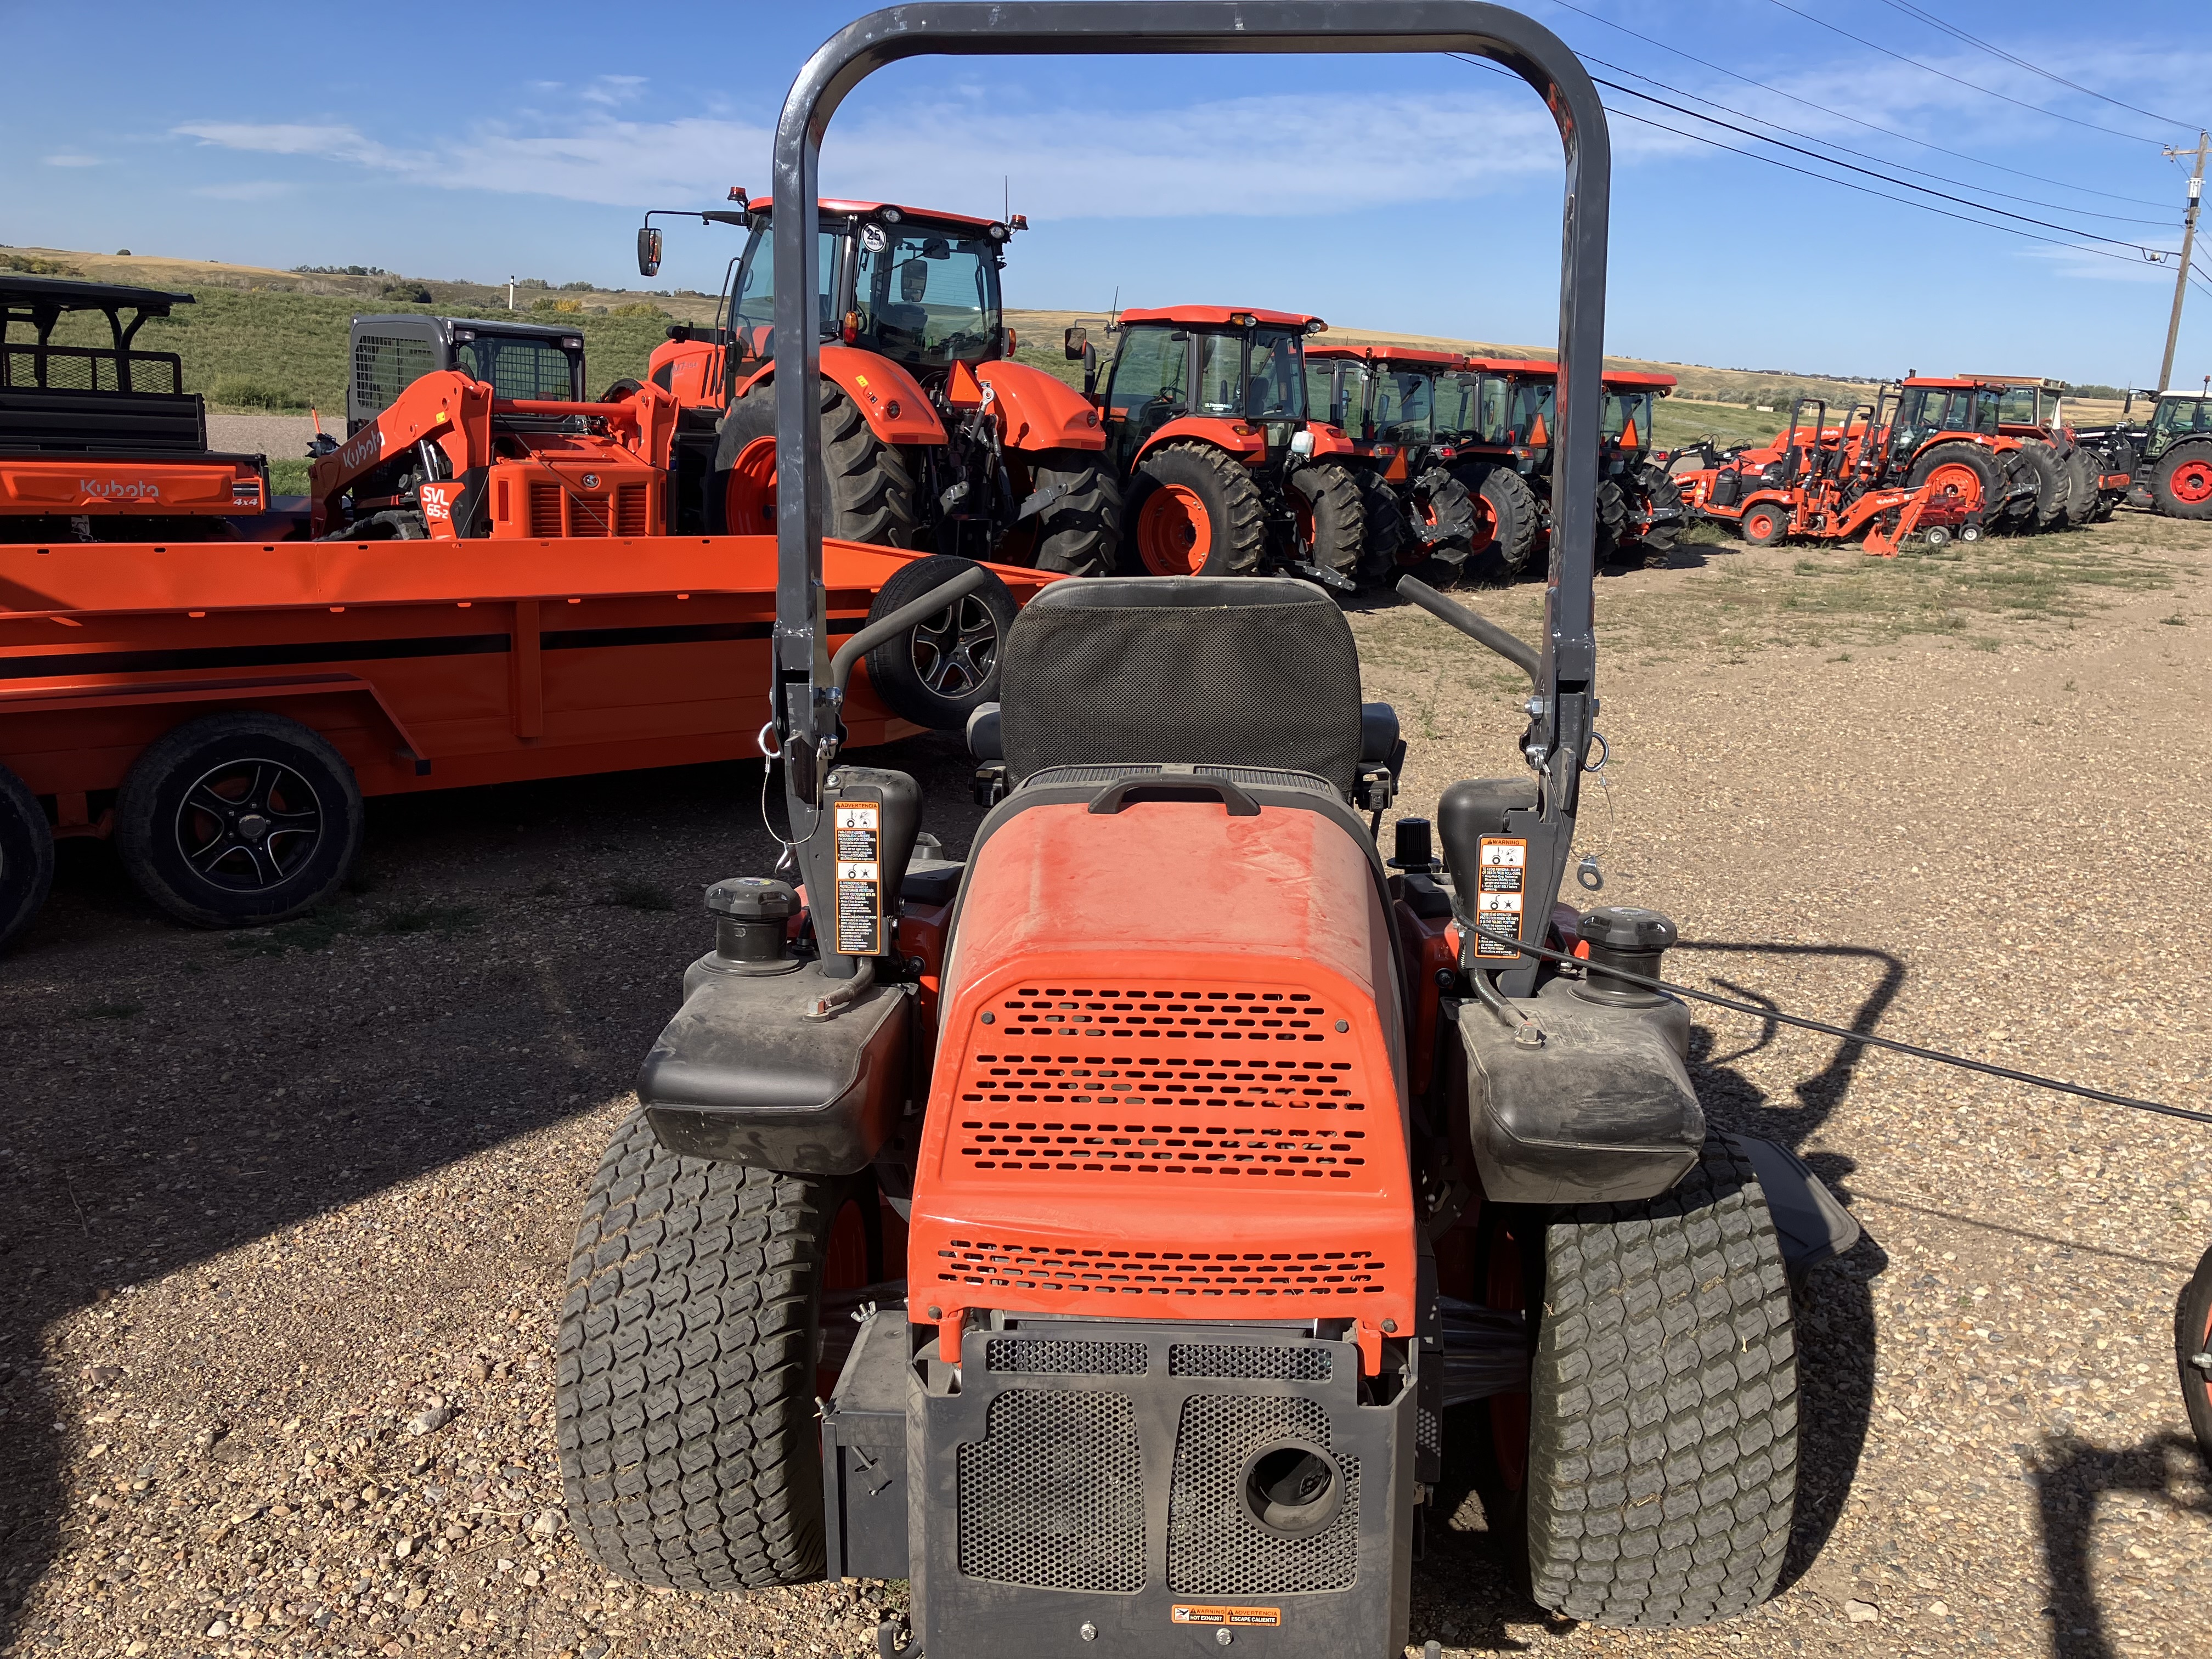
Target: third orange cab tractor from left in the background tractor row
x=1404, y=413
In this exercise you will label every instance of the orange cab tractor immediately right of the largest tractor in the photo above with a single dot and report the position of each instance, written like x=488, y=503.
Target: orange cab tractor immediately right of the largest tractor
x=1224, y=472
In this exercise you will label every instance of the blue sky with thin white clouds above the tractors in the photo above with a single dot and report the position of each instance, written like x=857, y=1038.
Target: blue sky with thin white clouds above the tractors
x=1377, y=191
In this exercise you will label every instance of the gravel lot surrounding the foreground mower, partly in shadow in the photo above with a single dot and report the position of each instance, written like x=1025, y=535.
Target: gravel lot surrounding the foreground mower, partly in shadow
x=284, y=1218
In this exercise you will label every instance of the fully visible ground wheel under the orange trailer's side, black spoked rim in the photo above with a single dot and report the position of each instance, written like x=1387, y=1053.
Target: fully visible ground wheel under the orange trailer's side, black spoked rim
x=238, y=820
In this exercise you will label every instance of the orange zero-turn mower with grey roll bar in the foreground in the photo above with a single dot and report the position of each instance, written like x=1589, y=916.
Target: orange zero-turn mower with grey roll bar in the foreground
x=1147, y=1193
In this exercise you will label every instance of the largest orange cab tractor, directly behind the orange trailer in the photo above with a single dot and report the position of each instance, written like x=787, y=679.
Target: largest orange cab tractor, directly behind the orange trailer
x=932, y=435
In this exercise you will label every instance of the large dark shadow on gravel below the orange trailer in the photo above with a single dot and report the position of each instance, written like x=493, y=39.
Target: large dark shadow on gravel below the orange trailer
x=174, y=1094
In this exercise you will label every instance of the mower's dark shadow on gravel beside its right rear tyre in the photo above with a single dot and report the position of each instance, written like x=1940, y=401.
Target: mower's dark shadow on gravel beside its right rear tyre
x=1835, y=1306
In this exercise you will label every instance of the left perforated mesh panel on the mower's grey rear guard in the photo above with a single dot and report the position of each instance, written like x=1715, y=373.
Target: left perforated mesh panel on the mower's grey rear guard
x=1054, y=1494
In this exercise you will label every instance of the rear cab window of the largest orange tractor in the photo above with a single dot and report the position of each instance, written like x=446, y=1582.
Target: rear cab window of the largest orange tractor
x=926, y=295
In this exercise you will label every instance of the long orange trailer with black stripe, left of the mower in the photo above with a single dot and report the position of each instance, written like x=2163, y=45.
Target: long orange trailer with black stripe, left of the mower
x=222, y=709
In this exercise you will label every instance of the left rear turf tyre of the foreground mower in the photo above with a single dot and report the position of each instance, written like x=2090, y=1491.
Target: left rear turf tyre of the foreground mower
x=685, y=1370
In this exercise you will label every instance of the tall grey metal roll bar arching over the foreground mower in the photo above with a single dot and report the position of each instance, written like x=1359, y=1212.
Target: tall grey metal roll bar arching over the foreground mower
x=806, y=705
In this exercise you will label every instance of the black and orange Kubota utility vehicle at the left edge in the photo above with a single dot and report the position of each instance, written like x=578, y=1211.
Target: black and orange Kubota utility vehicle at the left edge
x=103, y=444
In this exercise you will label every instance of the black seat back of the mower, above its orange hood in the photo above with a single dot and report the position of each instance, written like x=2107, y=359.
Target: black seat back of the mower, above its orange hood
x=1185, y=671
